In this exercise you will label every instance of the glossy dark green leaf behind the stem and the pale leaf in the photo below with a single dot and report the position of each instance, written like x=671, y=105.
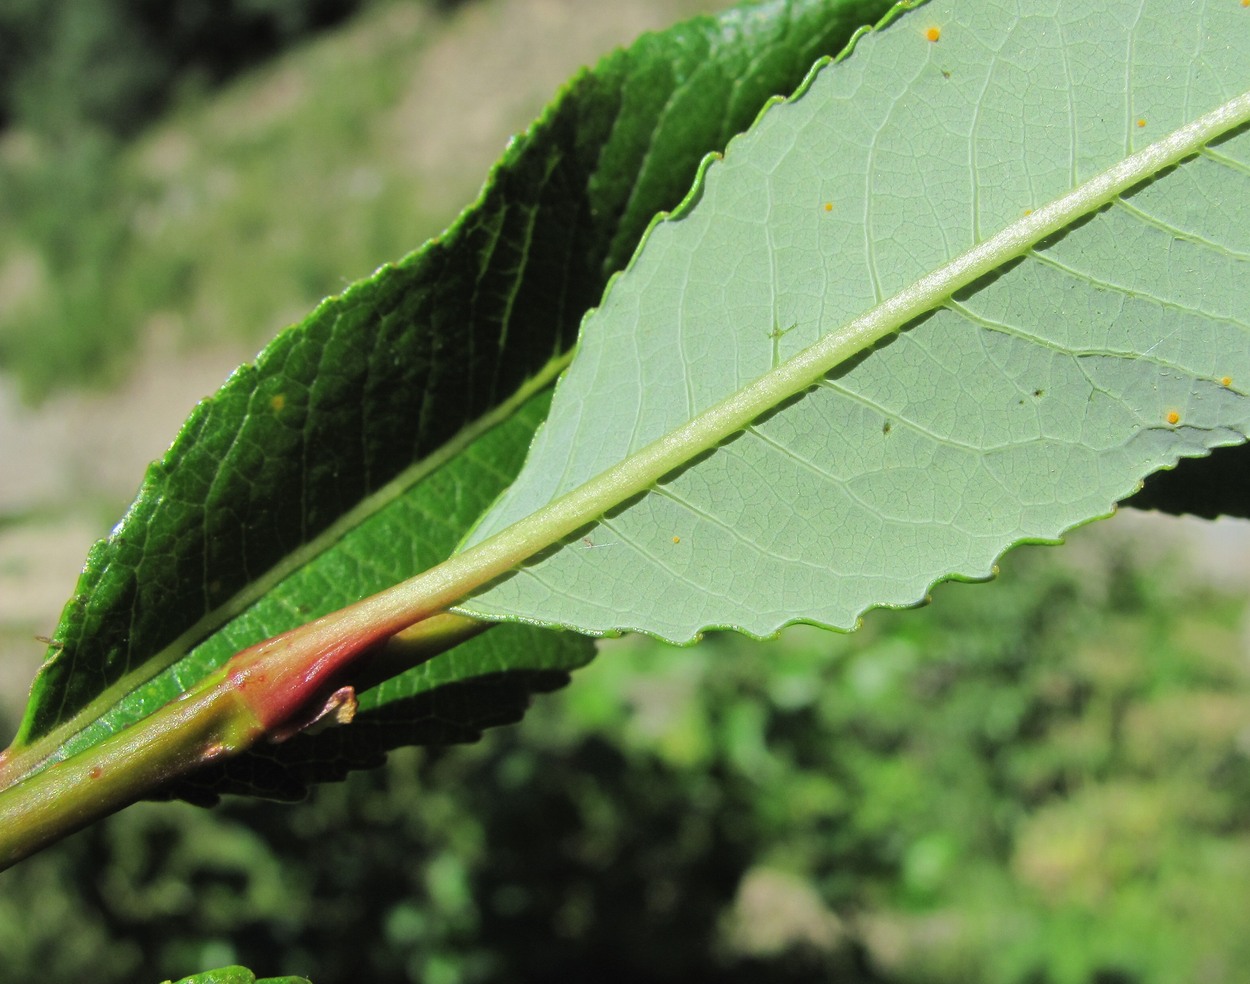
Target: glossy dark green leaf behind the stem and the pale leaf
x=358, y=448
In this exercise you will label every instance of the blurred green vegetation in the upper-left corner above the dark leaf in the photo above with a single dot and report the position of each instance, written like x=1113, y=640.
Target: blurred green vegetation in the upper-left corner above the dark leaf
x=139, y=196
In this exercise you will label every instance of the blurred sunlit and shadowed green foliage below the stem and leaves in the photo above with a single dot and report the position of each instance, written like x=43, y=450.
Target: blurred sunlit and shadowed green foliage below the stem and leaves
x=1041, y=780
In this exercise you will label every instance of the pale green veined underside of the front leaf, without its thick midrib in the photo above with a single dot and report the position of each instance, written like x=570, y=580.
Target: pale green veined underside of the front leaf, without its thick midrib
x=1024, y=406
